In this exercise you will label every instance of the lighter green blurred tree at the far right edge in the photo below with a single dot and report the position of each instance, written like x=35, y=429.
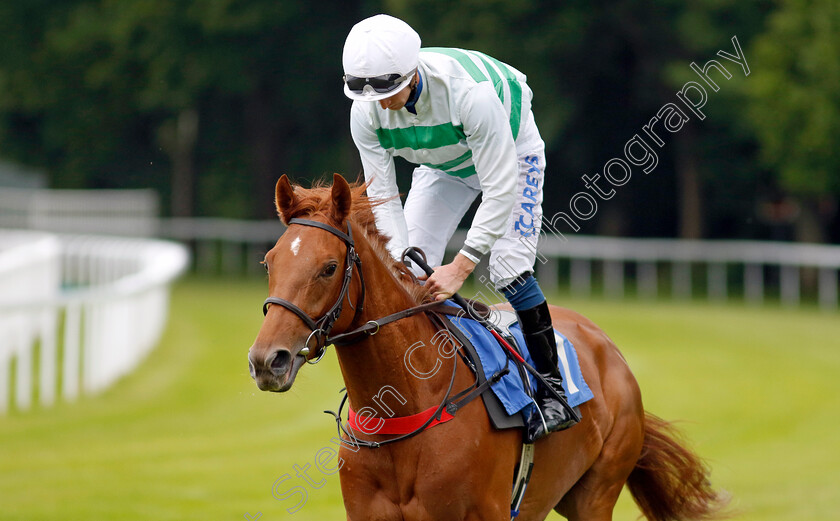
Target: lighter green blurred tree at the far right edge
x=795, y=107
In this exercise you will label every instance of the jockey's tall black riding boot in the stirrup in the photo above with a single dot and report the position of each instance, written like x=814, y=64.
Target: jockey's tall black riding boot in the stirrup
x=539, y=337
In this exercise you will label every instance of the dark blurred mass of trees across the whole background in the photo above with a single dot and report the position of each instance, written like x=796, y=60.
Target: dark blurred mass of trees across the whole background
x=209, y=101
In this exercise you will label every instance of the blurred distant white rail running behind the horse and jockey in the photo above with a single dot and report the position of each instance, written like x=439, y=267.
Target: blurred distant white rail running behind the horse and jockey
x=756, y=271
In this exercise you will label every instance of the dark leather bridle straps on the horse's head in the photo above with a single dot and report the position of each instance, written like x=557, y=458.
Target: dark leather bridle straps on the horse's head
x=321, y=327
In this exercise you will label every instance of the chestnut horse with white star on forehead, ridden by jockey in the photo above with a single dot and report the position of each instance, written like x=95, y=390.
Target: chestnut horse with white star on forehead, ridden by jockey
x=330, y=271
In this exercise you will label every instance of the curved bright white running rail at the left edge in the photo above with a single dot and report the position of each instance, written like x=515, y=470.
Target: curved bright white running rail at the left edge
x=78, y=312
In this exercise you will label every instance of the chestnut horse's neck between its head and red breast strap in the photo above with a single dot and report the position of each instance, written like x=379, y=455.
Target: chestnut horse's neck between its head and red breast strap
x=398, y=371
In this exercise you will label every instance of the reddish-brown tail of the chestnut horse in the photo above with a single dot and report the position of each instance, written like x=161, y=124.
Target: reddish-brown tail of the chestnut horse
x=669, y=481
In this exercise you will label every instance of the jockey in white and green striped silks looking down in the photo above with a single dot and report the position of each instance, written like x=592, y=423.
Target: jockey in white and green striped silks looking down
x=465, y=119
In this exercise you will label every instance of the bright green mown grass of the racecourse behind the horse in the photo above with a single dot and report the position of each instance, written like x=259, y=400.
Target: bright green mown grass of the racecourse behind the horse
x=189, y=437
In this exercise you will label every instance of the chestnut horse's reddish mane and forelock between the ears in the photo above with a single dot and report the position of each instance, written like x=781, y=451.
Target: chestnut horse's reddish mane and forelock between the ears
x=317, y=201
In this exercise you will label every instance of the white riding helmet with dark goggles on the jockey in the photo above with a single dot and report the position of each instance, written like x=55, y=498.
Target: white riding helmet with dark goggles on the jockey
x=380, y=57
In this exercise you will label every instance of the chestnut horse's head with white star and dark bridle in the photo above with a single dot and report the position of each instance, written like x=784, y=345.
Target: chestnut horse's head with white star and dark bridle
x=311, y=283
